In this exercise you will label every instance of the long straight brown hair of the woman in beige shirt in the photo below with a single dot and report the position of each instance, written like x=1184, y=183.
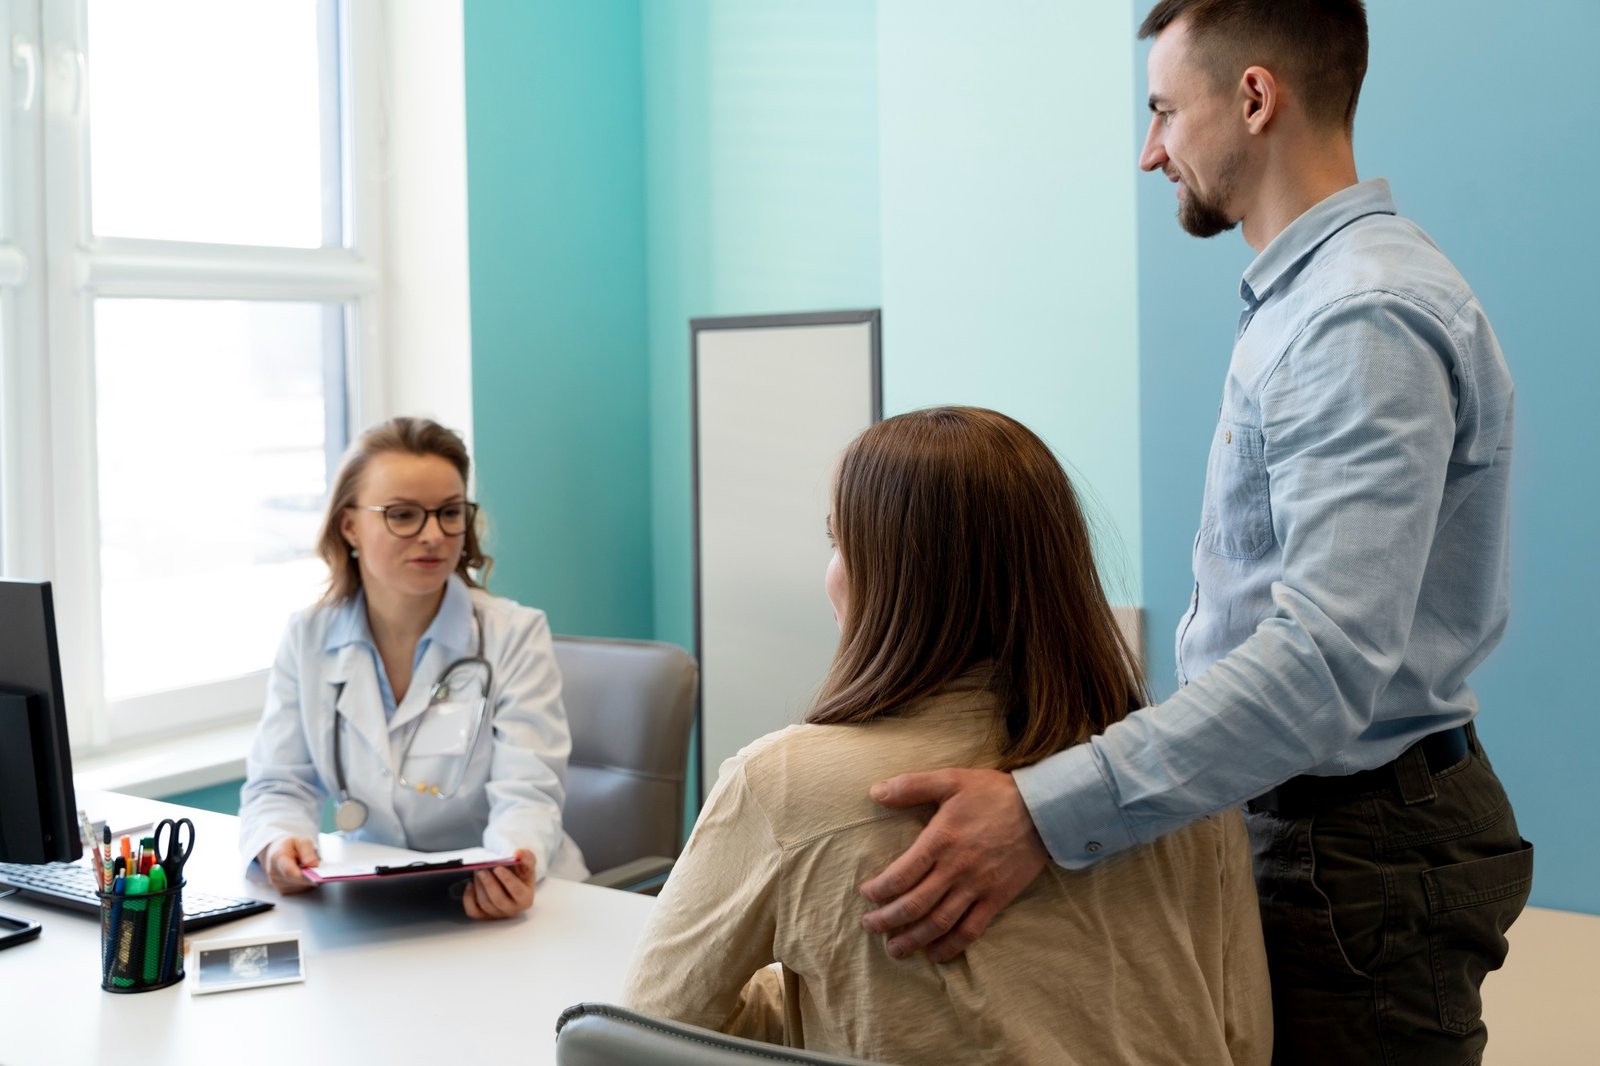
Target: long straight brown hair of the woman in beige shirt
x=962, y=543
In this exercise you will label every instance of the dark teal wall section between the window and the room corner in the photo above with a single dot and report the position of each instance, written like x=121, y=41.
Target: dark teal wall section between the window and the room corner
x=561, y=387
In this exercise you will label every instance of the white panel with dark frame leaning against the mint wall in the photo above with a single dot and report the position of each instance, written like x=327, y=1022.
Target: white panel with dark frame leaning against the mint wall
x=777, y=399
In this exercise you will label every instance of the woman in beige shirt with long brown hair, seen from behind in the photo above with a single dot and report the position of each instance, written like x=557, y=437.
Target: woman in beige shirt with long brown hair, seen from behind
x=974, y=633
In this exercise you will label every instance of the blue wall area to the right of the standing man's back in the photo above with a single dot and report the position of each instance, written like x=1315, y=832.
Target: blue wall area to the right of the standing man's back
x=1490, y=145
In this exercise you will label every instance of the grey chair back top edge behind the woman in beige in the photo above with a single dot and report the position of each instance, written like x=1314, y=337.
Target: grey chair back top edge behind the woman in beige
x=601, y=1035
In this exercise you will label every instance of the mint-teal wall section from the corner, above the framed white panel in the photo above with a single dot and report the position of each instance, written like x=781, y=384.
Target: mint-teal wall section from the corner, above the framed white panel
x=761, y=142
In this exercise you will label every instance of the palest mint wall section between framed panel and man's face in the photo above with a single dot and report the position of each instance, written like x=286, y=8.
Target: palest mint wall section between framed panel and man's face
x=1009, y=234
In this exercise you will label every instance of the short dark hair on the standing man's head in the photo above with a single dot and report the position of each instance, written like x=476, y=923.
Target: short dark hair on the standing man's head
x=1321, y=46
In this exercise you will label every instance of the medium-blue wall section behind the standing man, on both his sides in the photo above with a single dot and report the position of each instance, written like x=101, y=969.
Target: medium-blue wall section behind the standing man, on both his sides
x=1478, y=116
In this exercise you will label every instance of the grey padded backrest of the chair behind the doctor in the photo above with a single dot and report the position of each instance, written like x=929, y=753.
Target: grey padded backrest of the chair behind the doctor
x=631, y=708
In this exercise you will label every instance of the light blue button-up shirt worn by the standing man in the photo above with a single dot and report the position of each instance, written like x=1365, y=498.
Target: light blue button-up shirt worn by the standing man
x=1351, y=566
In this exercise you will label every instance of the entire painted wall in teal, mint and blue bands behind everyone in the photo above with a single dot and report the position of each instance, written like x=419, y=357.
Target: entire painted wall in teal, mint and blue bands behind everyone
x=634, y=166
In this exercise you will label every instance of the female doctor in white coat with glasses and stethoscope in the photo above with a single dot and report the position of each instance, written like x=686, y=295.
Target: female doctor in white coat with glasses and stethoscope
x=428, y=710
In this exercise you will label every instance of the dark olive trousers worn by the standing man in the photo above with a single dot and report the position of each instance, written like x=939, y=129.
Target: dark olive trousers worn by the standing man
x=1385, y=907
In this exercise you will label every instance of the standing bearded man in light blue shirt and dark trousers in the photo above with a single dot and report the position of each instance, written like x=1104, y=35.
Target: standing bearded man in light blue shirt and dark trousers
x=1351, y=571
